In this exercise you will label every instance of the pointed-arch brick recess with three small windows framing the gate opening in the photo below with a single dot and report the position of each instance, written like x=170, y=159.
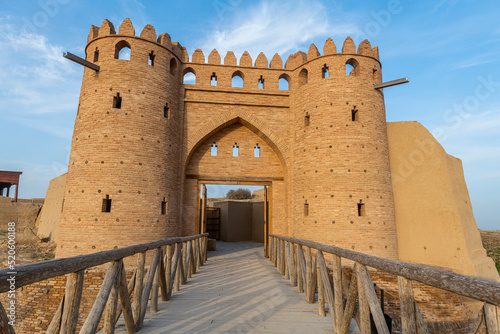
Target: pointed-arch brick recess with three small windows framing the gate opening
x=235, y=154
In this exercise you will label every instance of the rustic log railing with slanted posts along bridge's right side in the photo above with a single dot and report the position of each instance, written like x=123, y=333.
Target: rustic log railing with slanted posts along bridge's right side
x=293, y=258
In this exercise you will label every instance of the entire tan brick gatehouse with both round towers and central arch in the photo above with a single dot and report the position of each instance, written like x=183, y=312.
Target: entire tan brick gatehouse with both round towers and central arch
x=313, y=150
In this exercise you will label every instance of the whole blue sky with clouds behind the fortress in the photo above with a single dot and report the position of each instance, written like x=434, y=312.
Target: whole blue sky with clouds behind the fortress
x=450, y=49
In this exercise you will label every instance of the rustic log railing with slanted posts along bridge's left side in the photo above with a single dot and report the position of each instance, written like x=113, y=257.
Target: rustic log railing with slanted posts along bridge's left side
x=174, y=261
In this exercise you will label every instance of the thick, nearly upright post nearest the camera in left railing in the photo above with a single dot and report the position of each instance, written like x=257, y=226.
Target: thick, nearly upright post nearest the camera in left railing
x=74, y=287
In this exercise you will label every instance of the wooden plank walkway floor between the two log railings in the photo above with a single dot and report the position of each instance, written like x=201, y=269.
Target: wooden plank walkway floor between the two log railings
x=236, y=291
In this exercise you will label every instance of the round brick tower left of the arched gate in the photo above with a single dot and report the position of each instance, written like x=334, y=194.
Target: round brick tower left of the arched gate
x=122, y=178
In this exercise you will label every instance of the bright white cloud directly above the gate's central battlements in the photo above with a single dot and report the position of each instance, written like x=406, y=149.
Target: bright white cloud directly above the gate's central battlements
x=273, y=26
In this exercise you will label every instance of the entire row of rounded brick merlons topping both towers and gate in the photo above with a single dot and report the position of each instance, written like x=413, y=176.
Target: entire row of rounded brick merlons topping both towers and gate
x=294, y=61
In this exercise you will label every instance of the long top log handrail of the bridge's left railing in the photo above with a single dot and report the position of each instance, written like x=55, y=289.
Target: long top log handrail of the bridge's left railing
x=39, y=271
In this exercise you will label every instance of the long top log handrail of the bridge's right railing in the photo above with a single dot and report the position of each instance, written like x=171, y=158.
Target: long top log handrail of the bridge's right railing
x=468, y=286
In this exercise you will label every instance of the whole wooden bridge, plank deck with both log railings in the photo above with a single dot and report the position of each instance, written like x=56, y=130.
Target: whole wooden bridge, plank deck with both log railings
x=236, y=292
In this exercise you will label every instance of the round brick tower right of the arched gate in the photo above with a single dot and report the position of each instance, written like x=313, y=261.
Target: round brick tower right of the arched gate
x=342, y=184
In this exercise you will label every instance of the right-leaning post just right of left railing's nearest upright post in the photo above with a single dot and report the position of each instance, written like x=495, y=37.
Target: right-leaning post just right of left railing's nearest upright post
x=92, y=322
